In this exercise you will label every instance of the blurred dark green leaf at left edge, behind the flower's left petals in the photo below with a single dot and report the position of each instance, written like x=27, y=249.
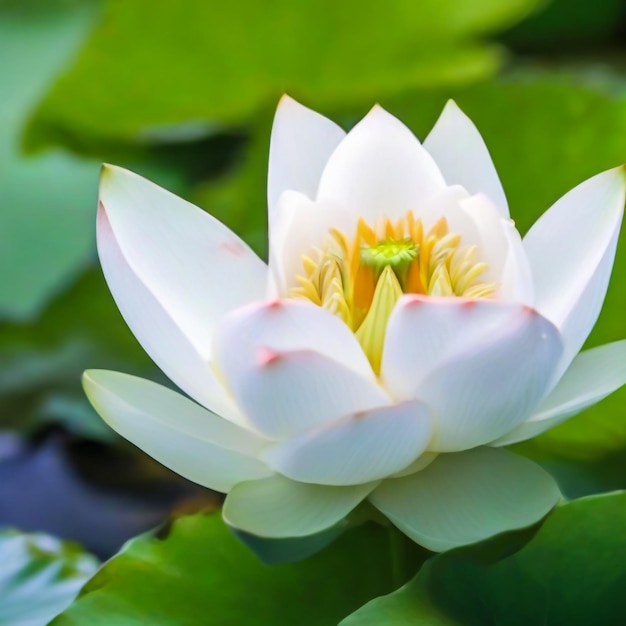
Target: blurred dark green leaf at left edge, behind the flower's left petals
x=41, y=364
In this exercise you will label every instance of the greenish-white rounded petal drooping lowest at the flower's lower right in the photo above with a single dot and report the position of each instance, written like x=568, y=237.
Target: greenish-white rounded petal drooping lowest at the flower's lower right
x=466, y=497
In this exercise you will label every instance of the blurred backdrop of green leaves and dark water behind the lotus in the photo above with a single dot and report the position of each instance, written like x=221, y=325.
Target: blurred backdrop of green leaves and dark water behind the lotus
x=184, y=94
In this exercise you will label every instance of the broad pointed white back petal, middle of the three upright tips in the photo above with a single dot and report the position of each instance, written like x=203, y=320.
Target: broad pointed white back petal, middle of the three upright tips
x=379, y=169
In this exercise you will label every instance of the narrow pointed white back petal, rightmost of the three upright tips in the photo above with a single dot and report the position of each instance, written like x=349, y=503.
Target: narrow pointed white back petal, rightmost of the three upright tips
x=462, y=156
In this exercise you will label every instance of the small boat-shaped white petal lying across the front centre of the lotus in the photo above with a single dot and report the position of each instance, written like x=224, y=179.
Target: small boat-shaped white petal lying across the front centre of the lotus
x=356, y=449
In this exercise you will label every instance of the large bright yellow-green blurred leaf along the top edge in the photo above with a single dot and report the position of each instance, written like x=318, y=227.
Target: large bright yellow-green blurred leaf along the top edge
x=201, y=65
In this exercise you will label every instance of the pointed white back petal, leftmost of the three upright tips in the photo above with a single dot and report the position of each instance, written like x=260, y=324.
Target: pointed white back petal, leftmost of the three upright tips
x=302, y=140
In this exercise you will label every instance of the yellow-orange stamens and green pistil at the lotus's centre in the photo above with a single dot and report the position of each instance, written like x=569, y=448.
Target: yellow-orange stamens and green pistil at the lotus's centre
x=361, y=279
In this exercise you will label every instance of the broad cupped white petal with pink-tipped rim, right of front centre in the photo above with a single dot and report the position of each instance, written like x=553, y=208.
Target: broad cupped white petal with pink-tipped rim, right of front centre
x=481, y=365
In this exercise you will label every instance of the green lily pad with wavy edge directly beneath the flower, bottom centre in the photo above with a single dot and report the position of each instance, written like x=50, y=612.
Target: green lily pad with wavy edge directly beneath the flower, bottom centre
x=201, y=574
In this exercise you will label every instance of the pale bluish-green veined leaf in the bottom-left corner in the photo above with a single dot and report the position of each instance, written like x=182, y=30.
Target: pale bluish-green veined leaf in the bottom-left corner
x=39, y=577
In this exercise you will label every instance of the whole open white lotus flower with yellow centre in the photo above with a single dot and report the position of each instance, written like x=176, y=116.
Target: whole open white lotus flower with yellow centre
x=402, y=332
